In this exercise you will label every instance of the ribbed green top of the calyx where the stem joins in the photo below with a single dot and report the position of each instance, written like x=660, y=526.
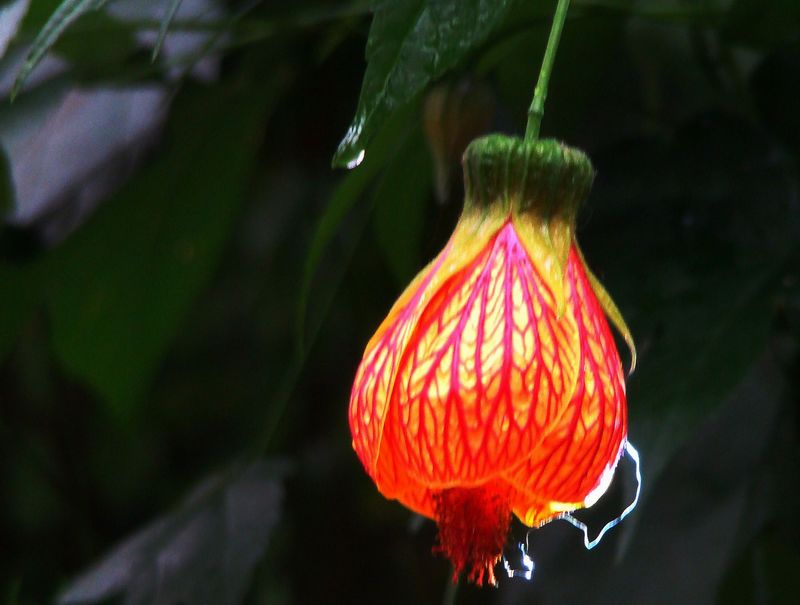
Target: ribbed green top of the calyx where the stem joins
x=543, y=177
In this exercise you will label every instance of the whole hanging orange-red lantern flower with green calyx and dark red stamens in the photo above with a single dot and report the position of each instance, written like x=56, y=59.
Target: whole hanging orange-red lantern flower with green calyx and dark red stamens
x=494, y=387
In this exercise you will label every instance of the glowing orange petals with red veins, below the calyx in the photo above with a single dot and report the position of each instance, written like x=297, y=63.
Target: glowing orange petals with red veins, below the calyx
x=474, y=384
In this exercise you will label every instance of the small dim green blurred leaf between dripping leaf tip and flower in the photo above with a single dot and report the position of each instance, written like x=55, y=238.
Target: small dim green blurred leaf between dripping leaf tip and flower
x=401, y=197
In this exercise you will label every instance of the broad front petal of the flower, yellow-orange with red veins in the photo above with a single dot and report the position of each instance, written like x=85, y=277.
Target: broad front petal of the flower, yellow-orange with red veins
x=486, y=370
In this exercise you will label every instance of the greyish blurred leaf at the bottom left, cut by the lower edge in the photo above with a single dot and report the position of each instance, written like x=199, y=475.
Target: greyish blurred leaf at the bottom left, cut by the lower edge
x=203, y=553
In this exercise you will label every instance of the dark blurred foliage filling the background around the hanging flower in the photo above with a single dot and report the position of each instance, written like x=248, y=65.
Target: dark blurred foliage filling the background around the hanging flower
x=186, y=287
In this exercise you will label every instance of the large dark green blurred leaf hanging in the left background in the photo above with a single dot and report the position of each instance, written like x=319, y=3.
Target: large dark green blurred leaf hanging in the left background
x=125, y=280
